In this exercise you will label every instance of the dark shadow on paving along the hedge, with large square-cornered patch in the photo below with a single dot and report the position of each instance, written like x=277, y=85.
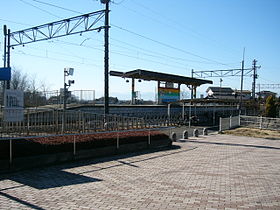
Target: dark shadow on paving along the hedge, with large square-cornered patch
x=56, y=176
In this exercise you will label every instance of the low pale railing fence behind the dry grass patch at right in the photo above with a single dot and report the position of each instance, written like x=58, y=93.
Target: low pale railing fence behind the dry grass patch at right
x=260, y=122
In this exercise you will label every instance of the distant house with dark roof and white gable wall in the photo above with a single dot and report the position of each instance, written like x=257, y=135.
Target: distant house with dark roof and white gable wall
x=220, y=93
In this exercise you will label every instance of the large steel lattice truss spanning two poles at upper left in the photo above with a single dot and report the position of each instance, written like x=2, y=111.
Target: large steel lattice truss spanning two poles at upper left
x=69, y=26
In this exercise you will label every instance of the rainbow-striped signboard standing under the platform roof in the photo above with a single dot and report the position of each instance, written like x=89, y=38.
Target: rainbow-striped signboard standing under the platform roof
x=166, y=95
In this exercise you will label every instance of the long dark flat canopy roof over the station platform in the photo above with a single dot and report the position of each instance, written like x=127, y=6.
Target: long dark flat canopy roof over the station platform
x=157, y=76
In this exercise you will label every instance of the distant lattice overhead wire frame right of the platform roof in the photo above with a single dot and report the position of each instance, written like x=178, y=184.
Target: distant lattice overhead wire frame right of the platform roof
x=222, y=73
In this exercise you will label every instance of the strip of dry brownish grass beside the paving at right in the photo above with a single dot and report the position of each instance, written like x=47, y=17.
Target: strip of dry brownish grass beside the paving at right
x=254, y=132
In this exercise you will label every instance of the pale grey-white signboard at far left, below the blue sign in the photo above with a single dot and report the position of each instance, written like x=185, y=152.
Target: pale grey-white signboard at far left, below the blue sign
x=13, y=106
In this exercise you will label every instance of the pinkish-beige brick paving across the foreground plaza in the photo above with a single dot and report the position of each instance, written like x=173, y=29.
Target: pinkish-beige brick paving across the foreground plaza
x=213, y=172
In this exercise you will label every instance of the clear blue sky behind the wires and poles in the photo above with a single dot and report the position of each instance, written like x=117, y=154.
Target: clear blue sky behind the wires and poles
x=163, y=36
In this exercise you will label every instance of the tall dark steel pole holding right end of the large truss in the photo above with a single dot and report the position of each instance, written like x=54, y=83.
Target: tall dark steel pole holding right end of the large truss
x=106, y=57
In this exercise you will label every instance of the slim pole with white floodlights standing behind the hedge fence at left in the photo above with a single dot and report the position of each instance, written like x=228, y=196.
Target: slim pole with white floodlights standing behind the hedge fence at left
x=67, y=72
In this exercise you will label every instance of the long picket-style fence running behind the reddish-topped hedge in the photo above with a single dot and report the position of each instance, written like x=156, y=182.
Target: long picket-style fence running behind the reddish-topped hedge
x=44, y=122
